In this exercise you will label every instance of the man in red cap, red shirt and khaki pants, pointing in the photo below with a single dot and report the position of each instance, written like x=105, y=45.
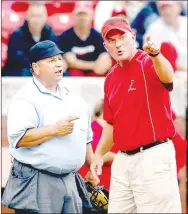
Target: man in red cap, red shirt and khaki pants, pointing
x=139, y=121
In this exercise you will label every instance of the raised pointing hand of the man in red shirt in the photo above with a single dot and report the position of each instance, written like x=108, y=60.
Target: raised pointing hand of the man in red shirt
x=151, y=47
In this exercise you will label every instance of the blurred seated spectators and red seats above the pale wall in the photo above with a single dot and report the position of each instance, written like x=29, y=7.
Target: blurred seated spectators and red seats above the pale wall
x=75, y=26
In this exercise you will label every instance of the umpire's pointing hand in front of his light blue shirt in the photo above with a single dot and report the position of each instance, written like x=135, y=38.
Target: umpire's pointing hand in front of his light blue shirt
x=65, y=126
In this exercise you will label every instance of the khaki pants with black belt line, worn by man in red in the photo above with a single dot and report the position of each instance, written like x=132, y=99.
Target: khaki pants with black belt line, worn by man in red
x=145, y=182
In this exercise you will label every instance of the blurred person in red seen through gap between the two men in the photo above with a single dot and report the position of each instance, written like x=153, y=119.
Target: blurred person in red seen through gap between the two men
x=97, y=127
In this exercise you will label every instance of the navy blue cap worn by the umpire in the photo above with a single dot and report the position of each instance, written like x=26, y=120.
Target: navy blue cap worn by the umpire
x=43, y=50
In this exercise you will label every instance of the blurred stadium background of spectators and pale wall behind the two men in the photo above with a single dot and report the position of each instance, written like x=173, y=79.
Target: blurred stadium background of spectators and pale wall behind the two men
x=75, y=27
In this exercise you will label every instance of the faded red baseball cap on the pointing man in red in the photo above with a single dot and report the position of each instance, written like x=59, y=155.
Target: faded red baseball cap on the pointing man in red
x=115, y=23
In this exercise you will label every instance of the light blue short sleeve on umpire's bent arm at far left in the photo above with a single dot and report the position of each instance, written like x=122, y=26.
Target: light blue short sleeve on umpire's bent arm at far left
x=21, y=116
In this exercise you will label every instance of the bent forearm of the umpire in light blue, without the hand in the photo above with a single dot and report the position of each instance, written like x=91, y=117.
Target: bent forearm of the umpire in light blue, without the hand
x=36, y=136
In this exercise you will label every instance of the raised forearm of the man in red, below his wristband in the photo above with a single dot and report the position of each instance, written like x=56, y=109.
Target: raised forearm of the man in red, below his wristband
x=163, y=68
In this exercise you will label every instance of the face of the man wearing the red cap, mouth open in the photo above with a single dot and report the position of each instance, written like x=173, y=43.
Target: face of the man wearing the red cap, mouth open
x=119, y=44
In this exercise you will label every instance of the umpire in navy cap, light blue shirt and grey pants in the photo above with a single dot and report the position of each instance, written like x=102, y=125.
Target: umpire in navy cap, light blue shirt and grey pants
x=49, y=133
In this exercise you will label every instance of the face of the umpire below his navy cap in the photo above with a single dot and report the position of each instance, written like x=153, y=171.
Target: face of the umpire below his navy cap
x=49, y=70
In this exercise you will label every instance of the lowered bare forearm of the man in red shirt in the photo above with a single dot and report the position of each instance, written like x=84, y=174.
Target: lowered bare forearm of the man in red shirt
x=106, y=141
